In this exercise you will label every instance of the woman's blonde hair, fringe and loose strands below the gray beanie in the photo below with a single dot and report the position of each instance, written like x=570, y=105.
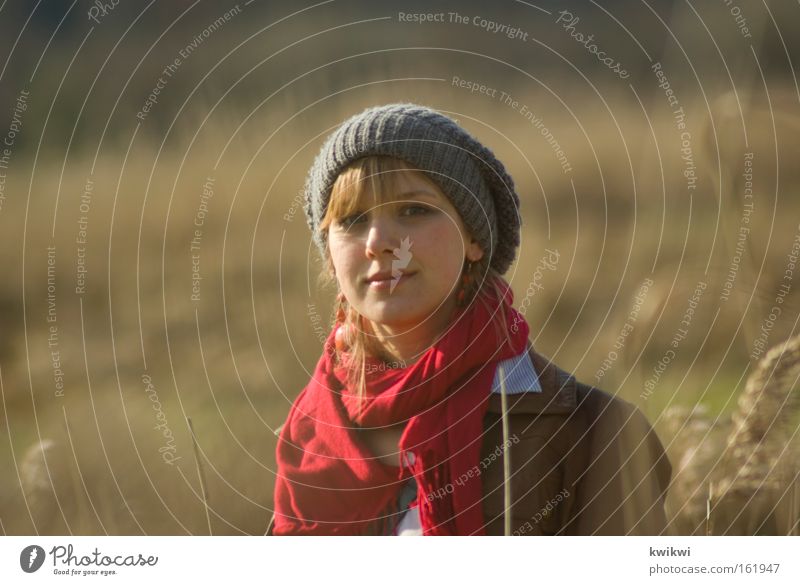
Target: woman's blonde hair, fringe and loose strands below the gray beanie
x=376, y=175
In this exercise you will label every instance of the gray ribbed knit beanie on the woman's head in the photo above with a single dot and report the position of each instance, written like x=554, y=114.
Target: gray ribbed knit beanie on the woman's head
x=466, y=171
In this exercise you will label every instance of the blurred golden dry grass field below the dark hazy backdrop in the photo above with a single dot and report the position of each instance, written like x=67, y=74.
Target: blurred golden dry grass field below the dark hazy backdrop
x=151, y=280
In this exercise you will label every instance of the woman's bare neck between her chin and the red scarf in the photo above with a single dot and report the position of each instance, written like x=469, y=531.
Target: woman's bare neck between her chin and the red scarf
x=405, y=344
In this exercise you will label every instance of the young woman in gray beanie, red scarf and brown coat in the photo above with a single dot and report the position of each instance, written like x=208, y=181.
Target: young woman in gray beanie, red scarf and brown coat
x=429, y=411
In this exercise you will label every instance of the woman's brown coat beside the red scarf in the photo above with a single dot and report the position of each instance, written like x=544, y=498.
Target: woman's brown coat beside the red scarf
x=582, y=462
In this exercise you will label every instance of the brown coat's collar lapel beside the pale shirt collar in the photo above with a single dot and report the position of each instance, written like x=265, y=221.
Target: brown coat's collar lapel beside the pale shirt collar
x=558, y=395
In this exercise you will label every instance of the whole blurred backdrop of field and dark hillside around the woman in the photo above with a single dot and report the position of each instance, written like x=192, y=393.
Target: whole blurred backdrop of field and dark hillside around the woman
x=157, y=267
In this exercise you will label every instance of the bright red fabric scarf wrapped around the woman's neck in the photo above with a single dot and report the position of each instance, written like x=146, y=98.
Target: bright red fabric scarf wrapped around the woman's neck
x=329, y=483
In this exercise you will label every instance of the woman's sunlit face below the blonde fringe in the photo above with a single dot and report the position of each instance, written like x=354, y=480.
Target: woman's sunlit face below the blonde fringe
x=399, y=262
